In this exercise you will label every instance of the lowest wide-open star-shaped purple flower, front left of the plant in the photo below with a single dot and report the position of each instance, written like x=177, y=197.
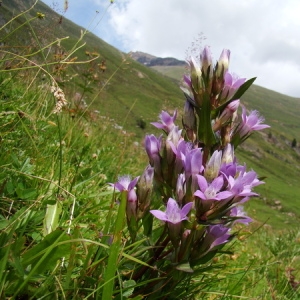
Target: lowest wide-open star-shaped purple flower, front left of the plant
x=173, y=213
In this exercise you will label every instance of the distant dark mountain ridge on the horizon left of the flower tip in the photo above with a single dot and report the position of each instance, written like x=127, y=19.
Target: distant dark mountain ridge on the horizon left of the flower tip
x=151, y=61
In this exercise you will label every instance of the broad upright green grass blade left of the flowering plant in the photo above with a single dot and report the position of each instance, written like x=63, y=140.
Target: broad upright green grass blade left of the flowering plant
x=114, y=249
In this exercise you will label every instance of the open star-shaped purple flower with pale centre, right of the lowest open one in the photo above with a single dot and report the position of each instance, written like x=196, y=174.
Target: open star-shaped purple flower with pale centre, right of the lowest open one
x=211, y=191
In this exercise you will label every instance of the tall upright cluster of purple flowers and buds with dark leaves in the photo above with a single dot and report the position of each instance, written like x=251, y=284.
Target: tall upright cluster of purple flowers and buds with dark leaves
x=194, y=170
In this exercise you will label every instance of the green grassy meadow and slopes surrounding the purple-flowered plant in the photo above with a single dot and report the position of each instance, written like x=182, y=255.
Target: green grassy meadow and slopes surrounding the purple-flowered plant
x=57, y=211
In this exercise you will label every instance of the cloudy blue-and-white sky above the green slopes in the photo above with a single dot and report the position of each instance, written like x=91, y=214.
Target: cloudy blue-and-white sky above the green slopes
x=262, y=35
